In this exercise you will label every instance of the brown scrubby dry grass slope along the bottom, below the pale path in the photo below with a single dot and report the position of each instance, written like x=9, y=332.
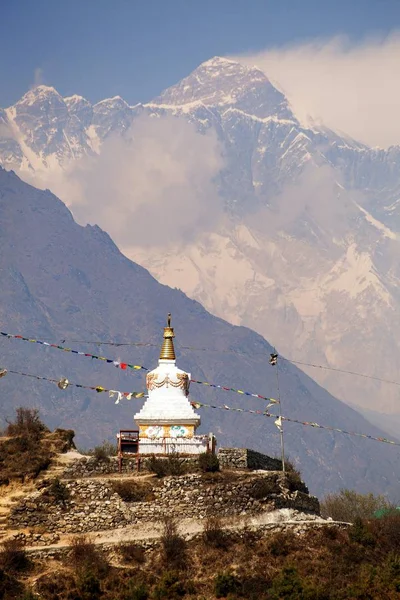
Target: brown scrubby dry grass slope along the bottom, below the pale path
x=321, y=564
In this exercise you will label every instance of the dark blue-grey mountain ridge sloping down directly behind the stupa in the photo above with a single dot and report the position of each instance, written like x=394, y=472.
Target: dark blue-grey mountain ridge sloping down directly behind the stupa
x=68, y=284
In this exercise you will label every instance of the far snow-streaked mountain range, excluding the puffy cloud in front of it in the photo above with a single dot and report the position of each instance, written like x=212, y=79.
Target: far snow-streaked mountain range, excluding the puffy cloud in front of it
x=308, y=254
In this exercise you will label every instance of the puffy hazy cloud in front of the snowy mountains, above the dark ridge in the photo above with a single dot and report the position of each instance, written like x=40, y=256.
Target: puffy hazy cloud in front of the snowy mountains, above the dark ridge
x=155, y=185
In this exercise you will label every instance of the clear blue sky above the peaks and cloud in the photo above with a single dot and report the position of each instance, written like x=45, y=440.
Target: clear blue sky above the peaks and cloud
x=135, y=49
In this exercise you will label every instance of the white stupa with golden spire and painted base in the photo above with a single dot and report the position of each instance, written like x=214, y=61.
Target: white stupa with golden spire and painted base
x=167, y=421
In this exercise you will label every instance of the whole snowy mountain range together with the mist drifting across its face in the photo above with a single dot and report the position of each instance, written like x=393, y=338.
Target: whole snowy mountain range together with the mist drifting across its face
x=218, y=190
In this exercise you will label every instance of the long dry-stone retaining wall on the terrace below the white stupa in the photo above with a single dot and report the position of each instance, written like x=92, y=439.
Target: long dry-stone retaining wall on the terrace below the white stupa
x=94, y=505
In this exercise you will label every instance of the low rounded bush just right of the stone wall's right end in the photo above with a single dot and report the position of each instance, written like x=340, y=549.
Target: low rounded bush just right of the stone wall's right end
x=348, y=505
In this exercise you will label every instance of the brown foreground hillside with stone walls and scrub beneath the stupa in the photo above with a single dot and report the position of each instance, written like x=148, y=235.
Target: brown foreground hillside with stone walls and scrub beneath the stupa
x=238, y=541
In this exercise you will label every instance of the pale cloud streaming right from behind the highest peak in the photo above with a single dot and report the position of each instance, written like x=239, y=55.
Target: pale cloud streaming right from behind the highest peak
x=350, y=87
